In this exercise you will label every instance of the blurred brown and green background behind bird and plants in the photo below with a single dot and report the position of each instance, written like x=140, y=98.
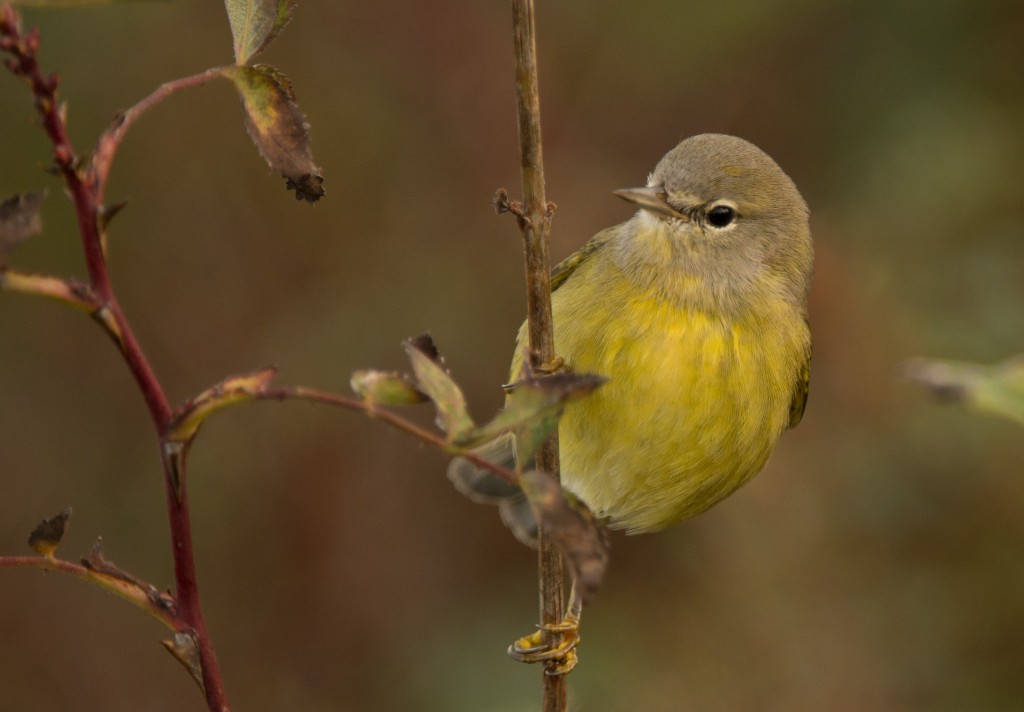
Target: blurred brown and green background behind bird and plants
x=878, y=563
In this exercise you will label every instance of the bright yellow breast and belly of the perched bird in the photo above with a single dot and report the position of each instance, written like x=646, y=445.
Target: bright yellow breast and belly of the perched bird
x=694, y=407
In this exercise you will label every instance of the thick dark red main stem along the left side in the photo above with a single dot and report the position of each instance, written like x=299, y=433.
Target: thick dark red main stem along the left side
x=83, y=186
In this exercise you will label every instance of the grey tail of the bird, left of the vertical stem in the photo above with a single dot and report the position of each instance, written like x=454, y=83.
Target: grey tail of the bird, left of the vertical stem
x=484, y=486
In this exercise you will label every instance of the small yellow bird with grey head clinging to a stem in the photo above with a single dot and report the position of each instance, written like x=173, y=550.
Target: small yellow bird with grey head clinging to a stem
x=696, y=312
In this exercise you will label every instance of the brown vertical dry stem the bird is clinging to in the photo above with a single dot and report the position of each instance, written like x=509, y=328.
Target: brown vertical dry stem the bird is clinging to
x=536, y=226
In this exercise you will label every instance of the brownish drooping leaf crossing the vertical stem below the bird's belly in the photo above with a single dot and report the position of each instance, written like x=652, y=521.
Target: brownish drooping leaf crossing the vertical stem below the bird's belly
x=573, y=530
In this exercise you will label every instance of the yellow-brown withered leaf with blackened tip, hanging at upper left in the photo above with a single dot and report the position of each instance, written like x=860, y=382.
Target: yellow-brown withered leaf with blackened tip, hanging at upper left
x=278, y=128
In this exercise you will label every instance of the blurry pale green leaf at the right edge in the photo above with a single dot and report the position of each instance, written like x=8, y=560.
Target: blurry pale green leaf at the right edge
x=998, y=390
